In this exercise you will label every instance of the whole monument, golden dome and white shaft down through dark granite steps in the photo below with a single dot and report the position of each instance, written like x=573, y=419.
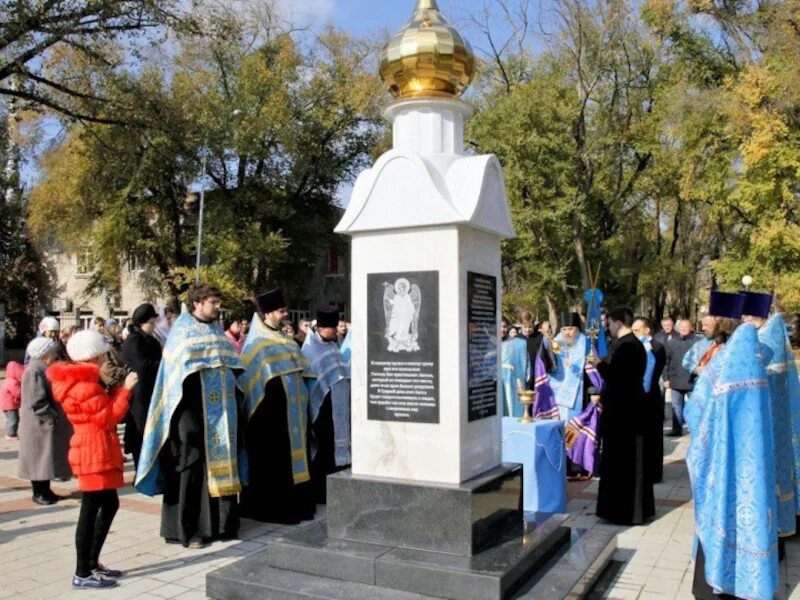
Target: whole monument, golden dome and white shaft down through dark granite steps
x=428, y=510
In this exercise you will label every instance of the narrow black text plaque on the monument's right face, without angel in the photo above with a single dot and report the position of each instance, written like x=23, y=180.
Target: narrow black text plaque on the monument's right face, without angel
x=482, y=351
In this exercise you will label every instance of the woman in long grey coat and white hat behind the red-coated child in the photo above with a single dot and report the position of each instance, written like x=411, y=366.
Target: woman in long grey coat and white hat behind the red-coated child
x=44, y=431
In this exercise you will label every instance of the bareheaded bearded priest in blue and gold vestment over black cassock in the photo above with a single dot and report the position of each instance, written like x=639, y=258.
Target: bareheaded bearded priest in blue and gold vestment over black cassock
x=191, y=448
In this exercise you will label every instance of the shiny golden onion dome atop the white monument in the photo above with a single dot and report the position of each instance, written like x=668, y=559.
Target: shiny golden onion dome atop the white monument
x=427, y=57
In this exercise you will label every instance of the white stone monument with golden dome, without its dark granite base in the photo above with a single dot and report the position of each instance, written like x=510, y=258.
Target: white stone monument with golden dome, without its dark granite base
x=425, y=206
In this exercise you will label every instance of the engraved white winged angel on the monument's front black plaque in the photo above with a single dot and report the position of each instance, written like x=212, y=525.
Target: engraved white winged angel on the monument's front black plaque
x=401, y=303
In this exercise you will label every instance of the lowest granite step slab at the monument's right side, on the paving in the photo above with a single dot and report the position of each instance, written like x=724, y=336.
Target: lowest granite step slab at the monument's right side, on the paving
x=572, y=573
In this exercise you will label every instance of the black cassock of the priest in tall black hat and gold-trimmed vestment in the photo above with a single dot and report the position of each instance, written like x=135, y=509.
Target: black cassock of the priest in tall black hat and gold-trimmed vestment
x=272, y=495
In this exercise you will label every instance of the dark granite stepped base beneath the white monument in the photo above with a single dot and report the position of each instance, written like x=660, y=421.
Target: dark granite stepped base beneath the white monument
x=390, y=540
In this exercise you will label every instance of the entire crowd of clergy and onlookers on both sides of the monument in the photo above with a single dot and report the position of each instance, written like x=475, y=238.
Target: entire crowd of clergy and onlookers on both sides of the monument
x=249, y=419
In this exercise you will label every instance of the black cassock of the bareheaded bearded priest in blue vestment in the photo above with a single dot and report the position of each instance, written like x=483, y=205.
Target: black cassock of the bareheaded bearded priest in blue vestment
x=188, y=511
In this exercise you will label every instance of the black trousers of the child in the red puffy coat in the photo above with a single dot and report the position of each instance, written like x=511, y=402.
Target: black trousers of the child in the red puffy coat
x=97, y=513
